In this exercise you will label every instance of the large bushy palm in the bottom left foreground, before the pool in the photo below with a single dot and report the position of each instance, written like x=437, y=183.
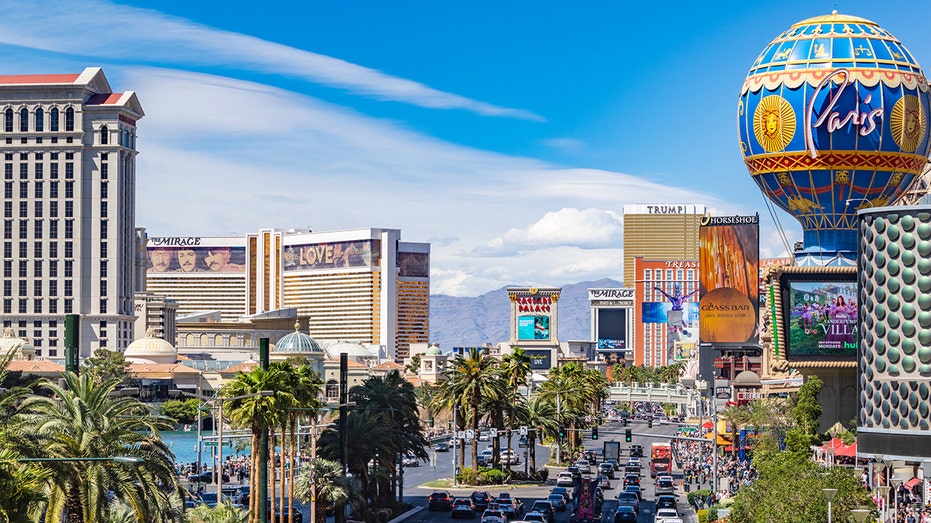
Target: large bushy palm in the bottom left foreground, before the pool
x=80, y=426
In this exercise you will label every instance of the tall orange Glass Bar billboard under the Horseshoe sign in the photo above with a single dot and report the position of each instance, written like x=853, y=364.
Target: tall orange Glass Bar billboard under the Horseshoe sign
x=729, y=286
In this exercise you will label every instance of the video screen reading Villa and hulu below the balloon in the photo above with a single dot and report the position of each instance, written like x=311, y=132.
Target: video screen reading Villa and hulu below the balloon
x=820, y=315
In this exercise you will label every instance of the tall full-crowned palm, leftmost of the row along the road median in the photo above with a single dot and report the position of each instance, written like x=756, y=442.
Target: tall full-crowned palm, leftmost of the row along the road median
x=470, y=379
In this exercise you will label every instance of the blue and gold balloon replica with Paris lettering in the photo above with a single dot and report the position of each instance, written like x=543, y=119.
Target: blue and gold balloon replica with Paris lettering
x=832, y=118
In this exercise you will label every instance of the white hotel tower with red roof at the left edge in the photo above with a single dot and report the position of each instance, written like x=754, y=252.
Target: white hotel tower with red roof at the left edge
x=68, y=145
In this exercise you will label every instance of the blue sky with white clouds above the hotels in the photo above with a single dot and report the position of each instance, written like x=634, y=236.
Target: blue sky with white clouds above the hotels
x=507, y=134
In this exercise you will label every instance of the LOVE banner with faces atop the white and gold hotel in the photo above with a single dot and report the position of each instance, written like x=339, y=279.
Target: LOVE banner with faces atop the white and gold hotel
x=328, y=255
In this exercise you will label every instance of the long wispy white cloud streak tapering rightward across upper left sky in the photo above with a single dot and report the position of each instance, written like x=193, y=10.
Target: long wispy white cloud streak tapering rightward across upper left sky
x=116, y=32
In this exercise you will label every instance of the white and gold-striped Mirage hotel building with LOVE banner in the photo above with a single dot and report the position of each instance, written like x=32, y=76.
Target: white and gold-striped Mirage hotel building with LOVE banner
x=360, y=285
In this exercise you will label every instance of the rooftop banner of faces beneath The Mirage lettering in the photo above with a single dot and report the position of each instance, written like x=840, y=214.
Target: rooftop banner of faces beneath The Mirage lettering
x=193, y=254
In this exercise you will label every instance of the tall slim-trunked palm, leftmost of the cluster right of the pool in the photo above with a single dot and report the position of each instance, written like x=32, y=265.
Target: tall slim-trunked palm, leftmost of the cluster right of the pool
x=255, y=412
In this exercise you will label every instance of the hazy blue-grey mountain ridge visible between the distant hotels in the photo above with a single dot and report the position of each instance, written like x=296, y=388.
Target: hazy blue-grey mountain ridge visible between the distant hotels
x=470, y=322
